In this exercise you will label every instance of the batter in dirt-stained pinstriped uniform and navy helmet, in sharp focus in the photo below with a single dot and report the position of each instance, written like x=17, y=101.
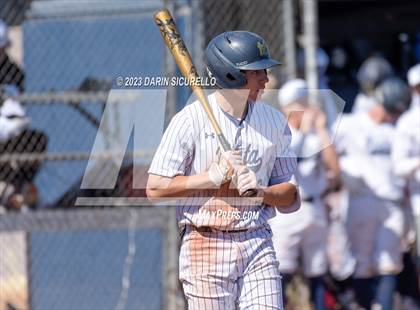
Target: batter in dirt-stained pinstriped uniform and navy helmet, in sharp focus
x=227, y=258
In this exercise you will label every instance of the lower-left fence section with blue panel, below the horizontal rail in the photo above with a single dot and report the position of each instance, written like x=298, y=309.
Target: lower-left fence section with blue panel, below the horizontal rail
x=119, y=258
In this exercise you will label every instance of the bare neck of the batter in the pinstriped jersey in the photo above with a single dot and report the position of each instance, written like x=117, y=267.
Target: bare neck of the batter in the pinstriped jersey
x=232, y=101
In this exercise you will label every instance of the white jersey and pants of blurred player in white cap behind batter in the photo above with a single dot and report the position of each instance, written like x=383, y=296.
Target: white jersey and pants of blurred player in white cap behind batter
x=304, y=231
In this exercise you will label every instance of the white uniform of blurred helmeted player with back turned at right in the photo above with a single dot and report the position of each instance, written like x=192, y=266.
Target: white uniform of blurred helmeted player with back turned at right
x=375, y=220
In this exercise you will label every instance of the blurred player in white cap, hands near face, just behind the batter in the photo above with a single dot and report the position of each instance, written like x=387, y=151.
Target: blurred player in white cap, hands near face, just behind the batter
x=305, y=231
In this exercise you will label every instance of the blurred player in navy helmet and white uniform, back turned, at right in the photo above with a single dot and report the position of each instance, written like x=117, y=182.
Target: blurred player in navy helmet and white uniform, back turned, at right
x=375, y=219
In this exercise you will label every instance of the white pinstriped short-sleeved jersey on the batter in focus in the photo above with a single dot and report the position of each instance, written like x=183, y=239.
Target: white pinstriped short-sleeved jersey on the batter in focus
x=189, y=146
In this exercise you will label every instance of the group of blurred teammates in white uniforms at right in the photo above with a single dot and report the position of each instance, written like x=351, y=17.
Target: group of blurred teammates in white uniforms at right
x=354, y=238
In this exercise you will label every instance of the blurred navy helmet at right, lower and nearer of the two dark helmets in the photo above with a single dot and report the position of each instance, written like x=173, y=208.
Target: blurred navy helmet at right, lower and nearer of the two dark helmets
x=394, y=94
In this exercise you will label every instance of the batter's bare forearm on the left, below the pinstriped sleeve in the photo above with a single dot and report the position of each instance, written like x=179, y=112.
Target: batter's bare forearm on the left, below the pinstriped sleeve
x=160, y=189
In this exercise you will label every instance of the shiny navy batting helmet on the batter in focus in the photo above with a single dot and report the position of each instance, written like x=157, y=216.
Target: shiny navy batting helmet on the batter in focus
x=231, y=52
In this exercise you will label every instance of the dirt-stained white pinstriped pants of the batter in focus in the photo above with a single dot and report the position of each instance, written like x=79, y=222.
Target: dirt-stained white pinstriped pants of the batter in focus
x=230, y=270
